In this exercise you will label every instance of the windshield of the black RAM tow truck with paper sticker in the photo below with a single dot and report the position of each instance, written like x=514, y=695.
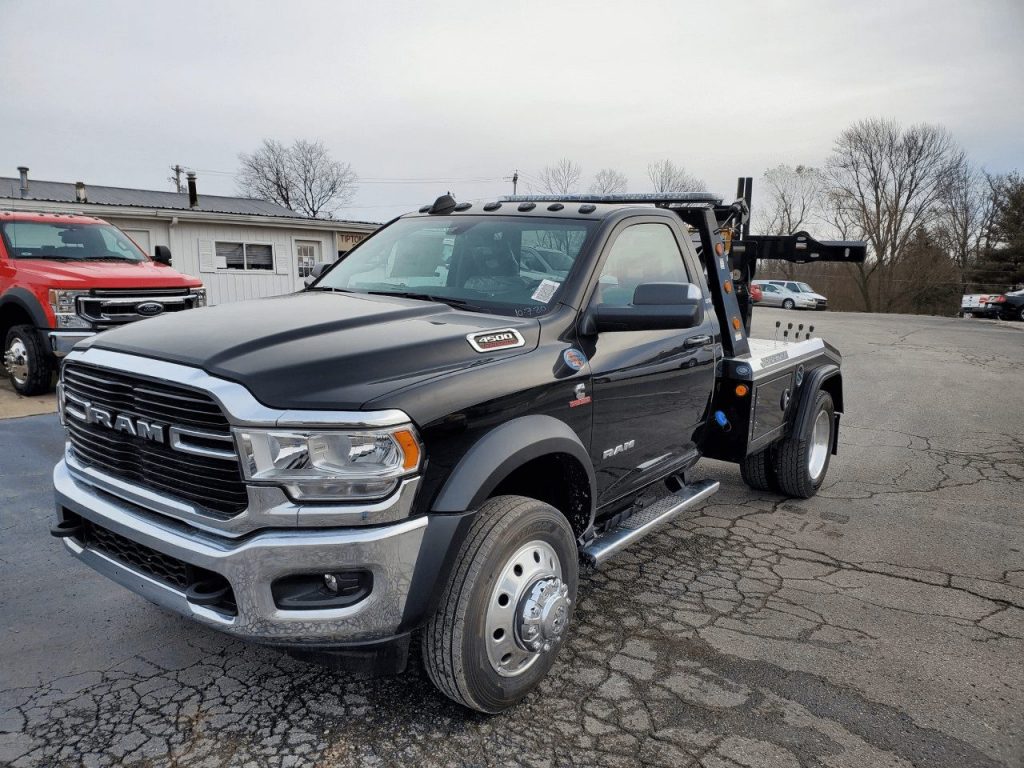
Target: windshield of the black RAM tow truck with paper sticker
x=507, y=266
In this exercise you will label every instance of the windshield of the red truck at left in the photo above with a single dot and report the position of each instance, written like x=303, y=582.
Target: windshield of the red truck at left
x=67, y=242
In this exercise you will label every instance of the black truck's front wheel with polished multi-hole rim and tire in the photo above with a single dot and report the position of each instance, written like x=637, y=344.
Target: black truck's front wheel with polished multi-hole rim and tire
x=507, y=608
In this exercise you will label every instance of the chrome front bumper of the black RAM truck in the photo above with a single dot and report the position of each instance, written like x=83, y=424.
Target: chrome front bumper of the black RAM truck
x=390, y=552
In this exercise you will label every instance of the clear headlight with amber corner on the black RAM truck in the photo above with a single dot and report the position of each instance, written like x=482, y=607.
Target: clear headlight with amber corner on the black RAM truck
x=330, y=465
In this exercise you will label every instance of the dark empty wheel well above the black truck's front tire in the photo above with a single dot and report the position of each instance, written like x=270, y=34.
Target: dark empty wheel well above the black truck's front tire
x=558, y=480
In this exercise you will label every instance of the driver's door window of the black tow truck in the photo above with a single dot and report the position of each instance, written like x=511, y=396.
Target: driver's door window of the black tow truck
x=643, y=253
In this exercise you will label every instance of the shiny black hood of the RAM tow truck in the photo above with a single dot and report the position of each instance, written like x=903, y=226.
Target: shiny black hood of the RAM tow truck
x=320, y=351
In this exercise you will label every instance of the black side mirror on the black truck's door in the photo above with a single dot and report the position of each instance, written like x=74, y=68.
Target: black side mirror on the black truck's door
x=657, y=307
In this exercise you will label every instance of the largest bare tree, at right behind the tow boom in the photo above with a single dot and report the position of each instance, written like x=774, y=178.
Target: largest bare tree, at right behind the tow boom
x=886, y=183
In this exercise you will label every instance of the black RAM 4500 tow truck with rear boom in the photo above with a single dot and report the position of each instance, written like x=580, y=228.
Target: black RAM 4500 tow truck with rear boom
x=434, y=436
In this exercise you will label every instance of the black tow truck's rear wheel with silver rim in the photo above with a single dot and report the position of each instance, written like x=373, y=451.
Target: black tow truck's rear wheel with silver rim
x=801, y=461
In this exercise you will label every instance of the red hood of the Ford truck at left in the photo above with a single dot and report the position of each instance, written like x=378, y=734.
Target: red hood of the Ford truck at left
x=106, y=274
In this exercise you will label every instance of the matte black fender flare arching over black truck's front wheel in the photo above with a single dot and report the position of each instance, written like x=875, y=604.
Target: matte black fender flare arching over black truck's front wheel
x=504, y=450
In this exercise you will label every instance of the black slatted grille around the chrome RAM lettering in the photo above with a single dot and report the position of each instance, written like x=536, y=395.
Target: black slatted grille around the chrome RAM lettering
x=212, y=483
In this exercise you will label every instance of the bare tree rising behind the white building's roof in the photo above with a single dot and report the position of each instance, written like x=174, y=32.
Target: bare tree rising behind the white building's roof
x=303, y=178
